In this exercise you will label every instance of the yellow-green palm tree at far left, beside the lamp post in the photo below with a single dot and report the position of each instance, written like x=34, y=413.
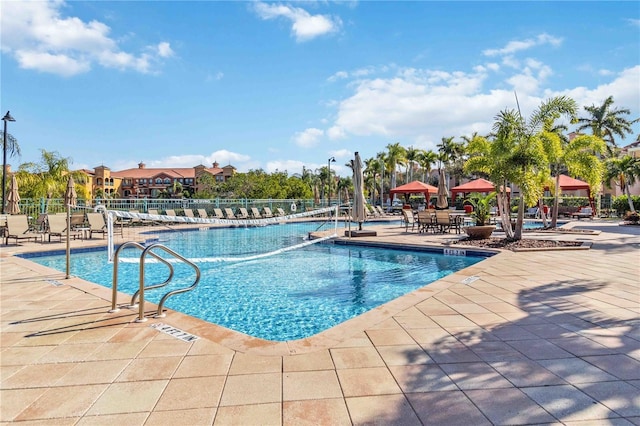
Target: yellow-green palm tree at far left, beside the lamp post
x=49, y=177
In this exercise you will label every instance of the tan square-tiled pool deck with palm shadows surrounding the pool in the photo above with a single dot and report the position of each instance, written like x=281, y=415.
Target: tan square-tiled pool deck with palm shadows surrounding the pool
x=546, y=337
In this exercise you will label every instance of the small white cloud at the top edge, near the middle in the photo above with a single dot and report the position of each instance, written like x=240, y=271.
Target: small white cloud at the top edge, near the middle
x=304, y=26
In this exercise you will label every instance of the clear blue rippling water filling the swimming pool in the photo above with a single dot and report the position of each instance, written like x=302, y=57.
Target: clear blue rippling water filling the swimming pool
x=283, y=297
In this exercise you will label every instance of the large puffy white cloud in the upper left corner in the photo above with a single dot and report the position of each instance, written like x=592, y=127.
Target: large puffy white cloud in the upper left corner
x=40, y=38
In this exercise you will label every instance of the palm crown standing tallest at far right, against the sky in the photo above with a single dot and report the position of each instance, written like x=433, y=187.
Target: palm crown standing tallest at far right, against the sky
x=605, y=122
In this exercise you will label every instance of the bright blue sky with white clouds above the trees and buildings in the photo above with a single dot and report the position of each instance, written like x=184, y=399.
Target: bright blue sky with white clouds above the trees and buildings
x=279, y=86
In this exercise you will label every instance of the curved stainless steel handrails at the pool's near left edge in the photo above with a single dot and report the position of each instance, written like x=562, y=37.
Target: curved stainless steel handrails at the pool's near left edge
x=148, y=250
